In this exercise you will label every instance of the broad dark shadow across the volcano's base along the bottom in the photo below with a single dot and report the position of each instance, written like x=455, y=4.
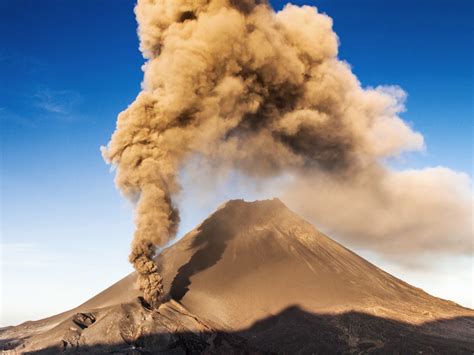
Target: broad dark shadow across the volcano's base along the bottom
x=295, y=331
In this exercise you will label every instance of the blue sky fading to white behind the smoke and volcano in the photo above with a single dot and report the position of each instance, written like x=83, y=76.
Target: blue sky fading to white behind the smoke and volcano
x=67, y=68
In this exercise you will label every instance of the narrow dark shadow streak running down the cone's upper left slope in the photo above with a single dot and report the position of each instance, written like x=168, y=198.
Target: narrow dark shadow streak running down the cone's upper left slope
x=209, y=250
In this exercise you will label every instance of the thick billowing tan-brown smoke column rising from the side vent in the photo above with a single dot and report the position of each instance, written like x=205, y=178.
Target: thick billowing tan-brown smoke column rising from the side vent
x=248, y=89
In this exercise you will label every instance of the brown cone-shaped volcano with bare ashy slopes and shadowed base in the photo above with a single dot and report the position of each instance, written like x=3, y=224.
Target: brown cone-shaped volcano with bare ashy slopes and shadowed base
x=256, y=278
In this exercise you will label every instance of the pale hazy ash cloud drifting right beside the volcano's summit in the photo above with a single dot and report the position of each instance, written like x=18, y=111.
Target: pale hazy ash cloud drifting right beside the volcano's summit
x=407, y=216
